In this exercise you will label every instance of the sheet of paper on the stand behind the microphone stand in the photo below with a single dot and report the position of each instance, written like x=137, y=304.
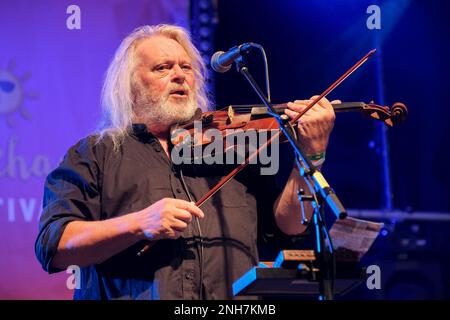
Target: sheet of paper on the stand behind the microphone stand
x=352, y=237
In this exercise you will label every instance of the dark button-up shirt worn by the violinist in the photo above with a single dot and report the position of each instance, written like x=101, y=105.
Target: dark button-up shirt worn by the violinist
x=95, y=182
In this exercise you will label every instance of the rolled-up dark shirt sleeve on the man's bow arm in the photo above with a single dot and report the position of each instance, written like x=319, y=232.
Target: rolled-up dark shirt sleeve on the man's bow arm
x=71, y=193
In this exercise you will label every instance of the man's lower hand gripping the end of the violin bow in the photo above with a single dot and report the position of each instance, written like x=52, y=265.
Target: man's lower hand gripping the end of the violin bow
x=166, y=218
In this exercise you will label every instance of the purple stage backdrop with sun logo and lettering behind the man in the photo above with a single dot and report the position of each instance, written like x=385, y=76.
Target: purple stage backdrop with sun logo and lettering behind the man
x=53, y=56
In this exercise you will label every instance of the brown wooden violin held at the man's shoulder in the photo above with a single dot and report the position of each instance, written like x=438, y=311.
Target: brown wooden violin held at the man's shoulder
x=257, y=117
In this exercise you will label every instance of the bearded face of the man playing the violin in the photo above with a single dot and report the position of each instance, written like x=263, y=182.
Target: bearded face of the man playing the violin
x=165, y=89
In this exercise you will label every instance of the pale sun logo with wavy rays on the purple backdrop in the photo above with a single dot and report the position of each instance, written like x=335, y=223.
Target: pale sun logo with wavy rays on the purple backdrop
x=12, y=94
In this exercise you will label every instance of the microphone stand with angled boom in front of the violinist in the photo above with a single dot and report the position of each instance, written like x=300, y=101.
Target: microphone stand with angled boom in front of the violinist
x=321, y=190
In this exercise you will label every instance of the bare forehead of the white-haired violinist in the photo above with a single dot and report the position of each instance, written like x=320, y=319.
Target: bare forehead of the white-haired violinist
x=160, y=47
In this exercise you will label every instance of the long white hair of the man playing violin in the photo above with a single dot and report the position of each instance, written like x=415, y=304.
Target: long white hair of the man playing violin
x=117, y=97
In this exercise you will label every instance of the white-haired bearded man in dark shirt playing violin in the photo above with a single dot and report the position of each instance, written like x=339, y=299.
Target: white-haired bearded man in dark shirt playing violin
x=118, y=189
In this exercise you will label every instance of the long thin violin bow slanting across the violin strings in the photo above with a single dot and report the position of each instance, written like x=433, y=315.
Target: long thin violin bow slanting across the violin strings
x=239, y=168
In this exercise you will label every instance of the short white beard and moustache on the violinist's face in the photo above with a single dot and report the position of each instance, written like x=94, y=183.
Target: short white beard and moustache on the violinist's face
x=158, y=110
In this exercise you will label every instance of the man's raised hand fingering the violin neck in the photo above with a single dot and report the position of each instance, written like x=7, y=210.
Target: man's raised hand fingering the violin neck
x=315, y=126
